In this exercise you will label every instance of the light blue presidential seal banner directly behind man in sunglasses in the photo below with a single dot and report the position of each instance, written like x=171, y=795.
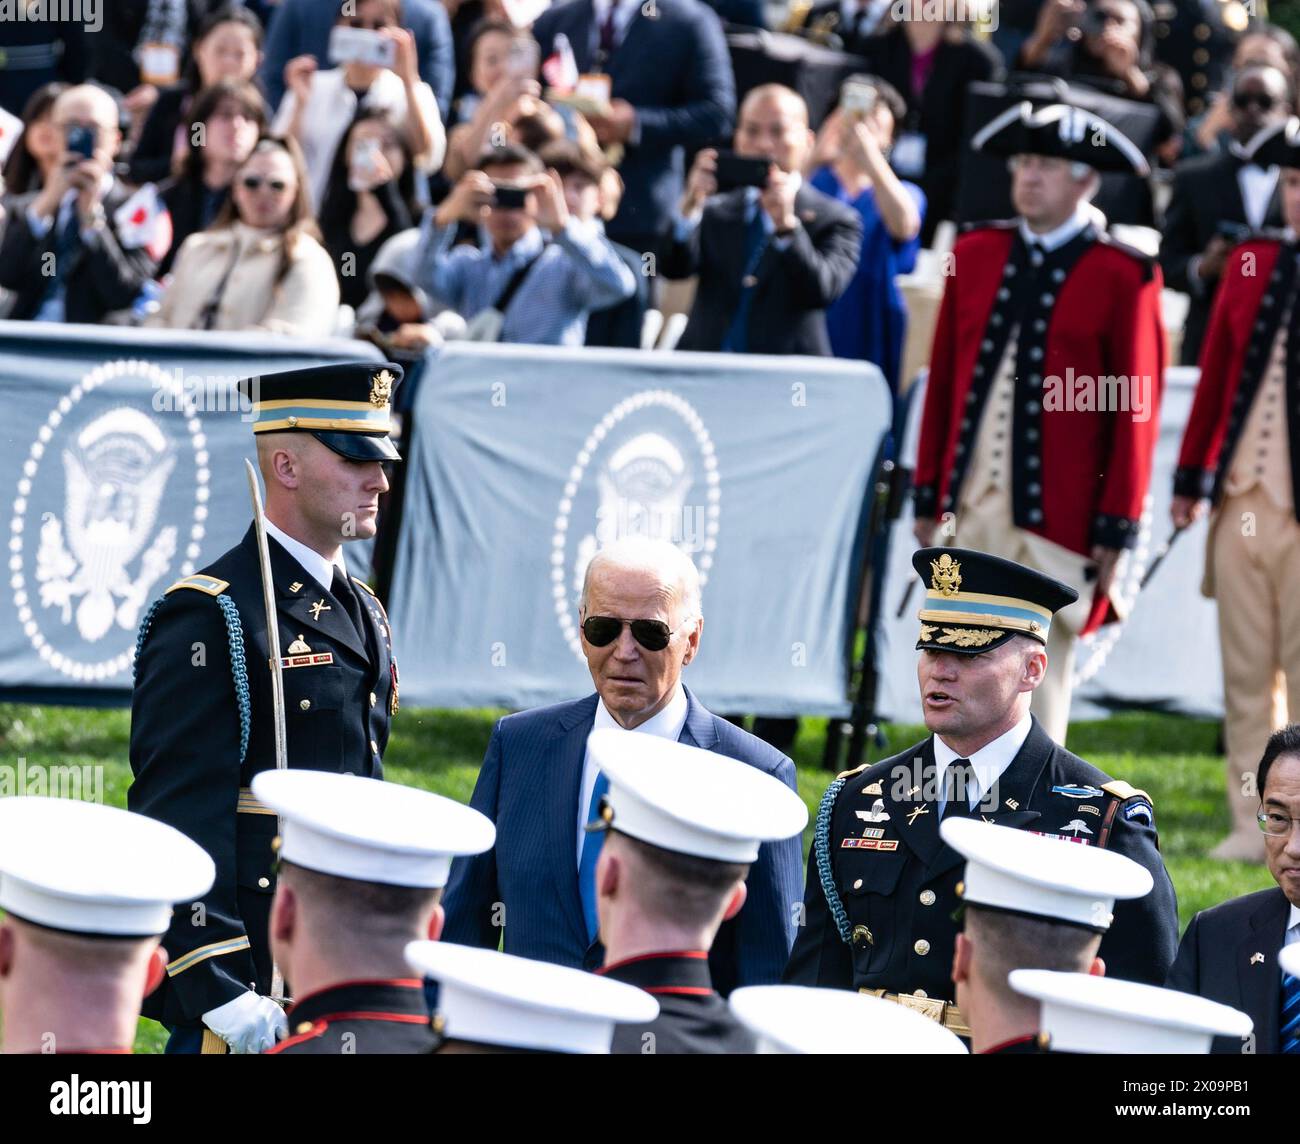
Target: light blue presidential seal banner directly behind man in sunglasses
x=527, y=461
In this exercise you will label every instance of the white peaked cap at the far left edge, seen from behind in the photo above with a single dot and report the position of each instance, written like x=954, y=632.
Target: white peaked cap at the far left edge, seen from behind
x=93, y=869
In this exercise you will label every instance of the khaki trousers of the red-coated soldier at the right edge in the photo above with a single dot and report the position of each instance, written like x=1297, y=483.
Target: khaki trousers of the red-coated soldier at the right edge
x=1255, y=549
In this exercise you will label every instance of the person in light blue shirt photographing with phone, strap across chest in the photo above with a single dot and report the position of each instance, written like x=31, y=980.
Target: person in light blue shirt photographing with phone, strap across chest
x=518, y=287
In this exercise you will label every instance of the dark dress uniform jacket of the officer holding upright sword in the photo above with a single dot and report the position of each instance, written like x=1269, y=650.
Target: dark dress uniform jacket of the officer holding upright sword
x=202, y=727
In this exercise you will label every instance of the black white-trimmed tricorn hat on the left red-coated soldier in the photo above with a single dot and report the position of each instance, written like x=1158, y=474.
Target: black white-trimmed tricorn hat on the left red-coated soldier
x=1063, y=132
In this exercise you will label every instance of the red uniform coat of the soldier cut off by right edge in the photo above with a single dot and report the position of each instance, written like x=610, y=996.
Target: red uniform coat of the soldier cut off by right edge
x=1259, y=278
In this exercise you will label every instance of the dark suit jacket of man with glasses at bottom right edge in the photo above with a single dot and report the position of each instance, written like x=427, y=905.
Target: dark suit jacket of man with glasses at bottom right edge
x=1219, y=959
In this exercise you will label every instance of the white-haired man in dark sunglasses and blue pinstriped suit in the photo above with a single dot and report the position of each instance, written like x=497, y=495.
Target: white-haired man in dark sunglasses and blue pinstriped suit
x=642, y=623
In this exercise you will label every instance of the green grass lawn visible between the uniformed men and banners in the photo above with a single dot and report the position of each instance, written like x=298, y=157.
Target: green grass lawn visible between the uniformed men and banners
x=1169, y=757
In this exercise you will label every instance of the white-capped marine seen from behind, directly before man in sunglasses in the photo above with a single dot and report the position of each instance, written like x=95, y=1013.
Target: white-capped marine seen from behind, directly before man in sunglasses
x=683, y=829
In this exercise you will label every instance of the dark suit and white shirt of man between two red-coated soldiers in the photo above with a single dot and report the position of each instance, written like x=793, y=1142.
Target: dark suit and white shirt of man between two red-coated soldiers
x=1208, y=201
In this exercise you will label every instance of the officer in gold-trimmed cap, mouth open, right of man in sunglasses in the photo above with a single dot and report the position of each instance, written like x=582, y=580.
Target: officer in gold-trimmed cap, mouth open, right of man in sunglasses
x=882, y=882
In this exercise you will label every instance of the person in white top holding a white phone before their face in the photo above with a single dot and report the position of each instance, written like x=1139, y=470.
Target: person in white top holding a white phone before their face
x=375, y=70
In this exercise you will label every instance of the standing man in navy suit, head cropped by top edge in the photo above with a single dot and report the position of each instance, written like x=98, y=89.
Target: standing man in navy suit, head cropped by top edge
x=671, y=89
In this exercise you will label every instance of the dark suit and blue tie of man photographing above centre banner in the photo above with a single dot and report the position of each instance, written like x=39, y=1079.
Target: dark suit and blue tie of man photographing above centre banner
x=761, y=293
